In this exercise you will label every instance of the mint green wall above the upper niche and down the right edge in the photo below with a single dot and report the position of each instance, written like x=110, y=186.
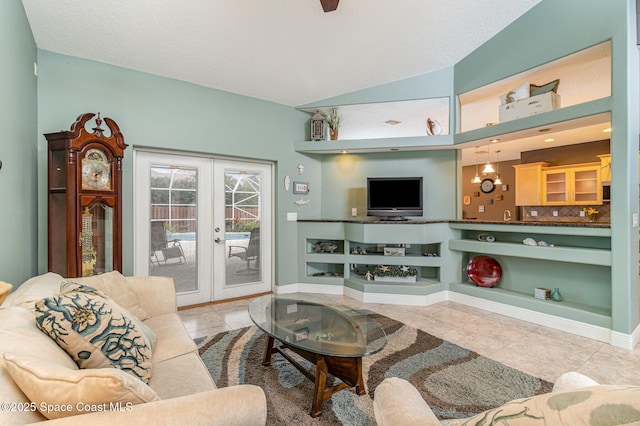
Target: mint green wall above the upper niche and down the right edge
x=550, y=30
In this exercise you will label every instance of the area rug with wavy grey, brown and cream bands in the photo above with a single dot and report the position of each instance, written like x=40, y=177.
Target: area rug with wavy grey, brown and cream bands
x=454, y=381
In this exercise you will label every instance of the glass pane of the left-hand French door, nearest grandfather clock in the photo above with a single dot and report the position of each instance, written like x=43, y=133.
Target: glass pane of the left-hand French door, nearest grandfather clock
x=173, y=233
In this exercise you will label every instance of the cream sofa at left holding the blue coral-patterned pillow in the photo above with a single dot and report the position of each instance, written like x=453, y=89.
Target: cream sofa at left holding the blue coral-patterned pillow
x=180, y=390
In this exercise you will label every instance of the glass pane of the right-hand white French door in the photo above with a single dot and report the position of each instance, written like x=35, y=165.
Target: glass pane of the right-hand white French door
x=242, y=227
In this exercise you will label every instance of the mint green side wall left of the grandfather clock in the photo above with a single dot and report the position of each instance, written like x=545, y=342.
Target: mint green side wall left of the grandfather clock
x=18, y=118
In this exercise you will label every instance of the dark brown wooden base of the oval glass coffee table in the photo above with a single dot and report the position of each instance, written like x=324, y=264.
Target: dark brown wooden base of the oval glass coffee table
x=347, y=369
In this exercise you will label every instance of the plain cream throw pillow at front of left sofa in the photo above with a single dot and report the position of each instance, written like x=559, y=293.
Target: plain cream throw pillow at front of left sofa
x=57, y=391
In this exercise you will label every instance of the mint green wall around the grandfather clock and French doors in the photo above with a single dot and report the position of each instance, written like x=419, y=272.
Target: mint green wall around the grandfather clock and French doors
x=168, y=114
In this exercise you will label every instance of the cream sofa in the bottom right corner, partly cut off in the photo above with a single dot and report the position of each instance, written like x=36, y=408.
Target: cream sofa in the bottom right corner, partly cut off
x=575, y=400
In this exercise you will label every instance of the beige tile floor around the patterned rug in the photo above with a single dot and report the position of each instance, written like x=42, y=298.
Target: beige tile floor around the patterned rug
x=537, y=350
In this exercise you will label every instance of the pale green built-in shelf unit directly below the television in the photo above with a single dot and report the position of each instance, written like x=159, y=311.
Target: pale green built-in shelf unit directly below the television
x=359, y=247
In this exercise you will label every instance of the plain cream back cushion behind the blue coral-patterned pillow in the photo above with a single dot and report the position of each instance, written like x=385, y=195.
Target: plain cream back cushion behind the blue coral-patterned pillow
x=116, y=286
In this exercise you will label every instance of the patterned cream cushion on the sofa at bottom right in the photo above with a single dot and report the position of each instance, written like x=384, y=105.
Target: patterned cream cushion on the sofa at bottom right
x=596, y=405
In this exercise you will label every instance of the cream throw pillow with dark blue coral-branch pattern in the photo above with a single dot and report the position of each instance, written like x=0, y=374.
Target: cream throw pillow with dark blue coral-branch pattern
x=96, y=332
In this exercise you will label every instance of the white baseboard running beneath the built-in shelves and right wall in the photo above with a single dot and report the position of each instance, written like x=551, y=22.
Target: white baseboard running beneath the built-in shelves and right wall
x=625, y=341
